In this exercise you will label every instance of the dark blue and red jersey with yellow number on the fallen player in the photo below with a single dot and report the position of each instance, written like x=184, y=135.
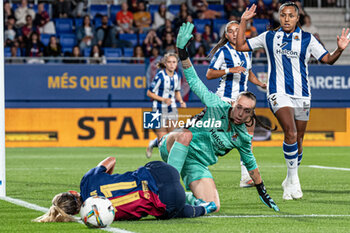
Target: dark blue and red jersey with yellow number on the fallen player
x=133, y=194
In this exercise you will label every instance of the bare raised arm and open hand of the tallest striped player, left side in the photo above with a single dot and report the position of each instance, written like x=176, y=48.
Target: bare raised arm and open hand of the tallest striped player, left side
x=241, y=44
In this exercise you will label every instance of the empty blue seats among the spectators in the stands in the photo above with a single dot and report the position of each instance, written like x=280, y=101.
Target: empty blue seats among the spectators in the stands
x=66, y=27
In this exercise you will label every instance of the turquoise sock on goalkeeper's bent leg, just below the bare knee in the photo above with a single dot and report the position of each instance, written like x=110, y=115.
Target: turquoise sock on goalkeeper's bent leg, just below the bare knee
x=177, y=155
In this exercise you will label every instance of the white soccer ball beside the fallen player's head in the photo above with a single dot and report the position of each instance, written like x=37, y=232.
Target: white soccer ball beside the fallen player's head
x=97, y=212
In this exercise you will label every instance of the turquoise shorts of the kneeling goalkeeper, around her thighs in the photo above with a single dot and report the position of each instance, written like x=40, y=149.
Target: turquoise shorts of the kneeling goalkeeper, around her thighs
x=192, y=169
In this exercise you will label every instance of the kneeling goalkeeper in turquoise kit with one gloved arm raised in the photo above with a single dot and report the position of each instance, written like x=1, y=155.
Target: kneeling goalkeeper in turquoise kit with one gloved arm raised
x=214, y=132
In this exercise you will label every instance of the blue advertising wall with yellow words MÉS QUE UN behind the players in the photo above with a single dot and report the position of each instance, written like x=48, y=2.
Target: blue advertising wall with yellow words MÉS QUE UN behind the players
x=76, y=86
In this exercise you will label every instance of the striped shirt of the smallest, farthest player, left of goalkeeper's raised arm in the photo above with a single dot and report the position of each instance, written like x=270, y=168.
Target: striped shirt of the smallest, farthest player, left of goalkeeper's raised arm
x=165, y=86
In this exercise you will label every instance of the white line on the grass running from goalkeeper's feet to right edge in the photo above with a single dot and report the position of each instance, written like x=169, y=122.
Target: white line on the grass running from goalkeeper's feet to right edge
x=280, y=216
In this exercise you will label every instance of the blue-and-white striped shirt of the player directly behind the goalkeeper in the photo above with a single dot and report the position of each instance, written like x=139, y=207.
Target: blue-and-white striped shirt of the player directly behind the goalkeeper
x=233, y=83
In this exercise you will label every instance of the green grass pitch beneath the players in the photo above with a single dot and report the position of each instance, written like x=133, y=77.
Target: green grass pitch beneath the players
x=35, y=175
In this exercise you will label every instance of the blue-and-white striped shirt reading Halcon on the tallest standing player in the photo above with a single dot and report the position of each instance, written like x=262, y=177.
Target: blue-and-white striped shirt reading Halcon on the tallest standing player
x=288, y=55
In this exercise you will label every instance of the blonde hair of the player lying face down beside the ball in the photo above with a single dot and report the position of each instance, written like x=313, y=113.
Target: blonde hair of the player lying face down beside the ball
x=64, y=205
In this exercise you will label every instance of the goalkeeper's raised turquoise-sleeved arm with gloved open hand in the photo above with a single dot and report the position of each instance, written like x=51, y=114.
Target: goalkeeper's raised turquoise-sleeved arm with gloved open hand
x=197, y=86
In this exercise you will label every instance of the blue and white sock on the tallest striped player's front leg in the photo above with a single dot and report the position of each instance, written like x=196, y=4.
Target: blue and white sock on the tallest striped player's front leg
x=291, y=157
